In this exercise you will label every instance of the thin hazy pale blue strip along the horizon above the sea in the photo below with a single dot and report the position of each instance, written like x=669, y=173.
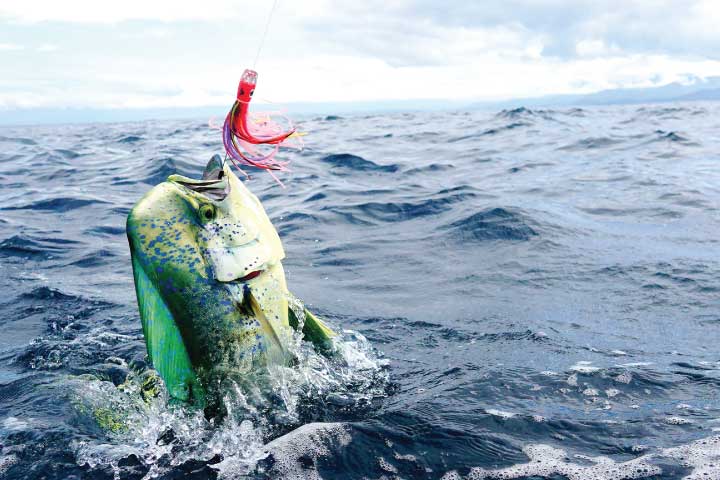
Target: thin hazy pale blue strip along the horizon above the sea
x=697, y=90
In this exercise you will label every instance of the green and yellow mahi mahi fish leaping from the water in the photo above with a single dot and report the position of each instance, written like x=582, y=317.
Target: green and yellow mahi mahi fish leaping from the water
x=210, y=284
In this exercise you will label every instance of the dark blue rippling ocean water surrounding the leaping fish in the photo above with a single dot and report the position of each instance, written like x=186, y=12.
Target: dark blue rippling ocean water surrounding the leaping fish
x=524, y=294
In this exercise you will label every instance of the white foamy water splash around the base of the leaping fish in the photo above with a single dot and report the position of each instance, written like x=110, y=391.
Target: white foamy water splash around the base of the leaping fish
x=259, y=432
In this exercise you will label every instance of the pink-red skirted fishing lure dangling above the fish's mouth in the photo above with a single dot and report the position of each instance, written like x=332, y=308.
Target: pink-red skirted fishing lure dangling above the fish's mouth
x=244, y=131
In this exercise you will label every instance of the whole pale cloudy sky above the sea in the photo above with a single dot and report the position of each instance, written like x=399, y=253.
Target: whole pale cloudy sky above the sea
x=158, y=53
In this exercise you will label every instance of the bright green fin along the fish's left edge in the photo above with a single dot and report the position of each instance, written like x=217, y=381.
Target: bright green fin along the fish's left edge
x=164, y=343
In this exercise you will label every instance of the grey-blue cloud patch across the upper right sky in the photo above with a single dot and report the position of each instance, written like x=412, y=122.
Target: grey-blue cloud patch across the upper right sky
x=679, y=27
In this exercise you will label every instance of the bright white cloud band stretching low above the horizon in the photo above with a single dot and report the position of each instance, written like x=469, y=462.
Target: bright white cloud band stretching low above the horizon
x=342, y=78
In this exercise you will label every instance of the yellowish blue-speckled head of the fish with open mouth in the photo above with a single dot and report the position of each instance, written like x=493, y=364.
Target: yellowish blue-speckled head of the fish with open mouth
x=216, y=217
